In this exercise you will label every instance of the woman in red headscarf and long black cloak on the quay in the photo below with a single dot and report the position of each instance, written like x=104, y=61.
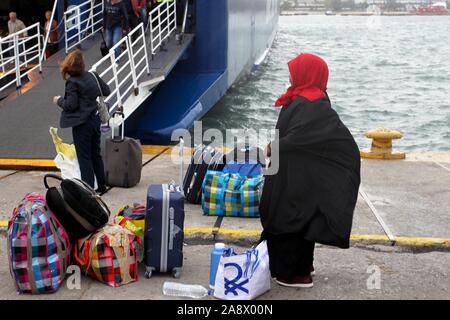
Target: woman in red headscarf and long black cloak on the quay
x=313, y=195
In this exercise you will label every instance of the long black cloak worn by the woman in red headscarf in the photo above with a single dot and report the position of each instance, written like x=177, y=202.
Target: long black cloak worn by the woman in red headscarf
x=316, y=187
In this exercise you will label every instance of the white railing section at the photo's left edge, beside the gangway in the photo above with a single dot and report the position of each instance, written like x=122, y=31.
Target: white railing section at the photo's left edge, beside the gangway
x=17, y=52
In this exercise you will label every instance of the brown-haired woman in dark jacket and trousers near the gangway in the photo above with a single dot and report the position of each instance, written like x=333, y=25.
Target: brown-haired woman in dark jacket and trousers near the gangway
x=79, y=111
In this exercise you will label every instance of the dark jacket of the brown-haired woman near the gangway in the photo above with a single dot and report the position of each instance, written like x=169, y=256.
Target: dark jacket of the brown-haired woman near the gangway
x=80, y=99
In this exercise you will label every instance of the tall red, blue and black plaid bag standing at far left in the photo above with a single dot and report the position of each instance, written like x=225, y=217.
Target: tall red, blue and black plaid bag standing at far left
x=38, y=247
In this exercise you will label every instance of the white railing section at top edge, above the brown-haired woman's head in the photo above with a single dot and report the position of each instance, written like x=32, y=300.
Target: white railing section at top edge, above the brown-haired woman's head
x=82, y=22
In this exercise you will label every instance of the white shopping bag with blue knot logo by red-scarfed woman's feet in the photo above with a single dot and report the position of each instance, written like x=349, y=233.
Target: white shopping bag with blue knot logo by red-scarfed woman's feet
x=243, y=276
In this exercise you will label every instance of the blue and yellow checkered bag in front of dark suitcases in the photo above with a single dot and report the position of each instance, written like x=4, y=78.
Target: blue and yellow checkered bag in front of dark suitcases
x=231, y=195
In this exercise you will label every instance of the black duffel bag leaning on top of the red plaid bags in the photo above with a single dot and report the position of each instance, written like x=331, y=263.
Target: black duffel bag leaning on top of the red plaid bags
x=76, y=205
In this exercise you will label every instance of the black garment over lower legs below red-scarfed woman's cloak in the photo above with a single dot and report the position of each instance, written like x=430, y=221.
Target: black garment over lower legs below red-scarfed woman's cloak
x=290, y=254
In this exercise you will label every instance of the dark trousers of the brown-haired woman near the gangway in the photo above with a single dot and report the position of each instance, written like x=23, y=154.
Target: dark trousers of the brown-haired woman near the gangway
x=86, y=138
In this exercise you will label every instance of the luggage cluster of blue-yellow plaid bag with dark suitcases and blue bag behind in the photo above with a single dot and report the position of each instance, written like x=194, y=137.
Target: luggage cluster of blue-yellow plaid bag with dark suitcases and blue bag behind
x=223, y=188
